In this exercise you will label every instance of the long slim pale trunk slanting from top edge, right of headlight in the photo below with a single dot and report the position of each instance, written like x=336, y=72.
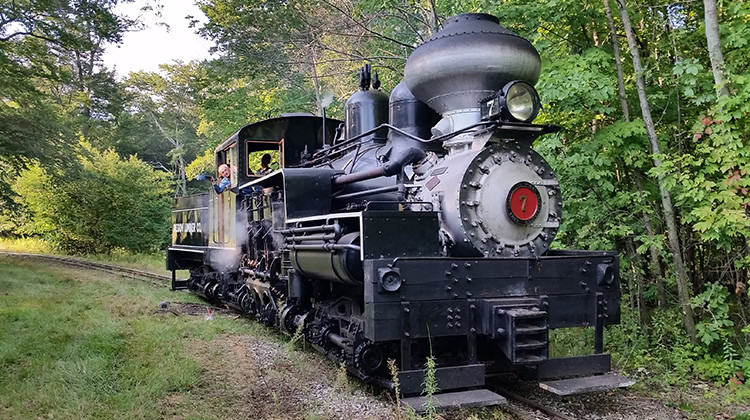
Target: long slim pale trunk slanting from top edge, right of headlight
x=681, y=277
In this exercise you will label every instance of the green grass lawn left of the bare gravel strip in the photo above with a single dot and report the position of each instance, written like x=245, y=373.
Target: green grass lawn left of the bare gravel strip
x=80, y=344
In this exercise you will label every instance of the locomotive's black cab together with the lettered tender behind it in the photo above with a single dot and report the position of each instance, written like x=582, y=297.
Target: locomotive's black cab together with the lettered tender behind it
x=209, y=230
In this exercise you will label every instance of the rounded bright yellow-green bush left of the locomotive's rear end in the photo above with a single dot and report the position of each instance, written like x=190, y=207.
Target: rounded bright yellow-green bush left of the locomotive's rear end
x=112, y=203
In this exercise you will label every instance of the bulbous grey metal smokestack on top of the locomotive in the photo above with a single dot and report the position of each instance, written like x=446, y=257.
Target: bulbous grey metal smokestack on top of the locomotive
x=471, y=58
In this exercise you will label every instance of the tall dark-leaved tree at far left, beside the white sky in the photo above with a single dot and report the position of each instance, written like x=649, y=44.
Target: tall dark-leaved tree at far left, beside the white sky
x=49, y=52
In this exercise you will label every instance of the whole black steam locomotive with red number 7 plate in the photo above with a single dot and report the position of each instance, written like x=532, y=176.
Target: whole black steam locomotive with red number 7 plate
x=418, y=227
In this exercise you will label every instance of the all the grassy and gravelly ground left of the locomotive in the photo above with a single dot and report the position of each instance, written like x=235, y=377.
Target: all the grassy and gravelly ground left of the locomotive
x=82, y=344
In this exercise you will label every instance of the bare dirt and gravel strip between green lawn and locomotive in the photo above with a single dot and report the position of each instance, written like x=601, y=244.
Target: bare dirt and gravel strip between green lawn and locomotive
x=253, y=378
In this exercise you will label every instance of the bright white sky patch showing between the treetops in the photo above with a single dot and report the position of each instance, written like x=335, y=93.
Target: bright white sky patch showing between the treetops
x=146, y=49
